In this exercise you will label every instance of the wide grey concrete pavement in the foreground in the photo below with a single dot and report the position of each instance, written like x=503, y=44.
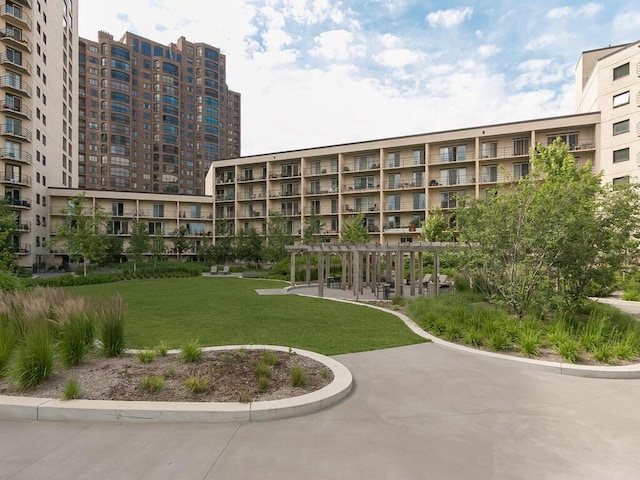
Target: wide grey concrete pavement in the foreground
x=417, y=412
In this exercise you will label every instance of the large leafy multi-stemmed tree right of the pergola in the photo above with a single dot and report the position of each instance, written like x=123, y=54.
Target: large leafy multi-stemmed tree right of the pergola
x=544, y=239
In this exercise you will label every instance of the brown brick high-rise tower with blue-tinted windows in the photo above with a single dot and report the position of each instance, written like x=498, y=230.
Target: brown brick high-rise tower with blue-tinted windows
x=153, y=118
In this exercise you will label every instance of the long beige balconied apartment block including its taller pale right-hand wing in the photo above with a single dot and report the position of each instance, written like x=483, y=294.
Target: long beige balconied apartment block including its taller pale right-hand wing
x=397, y=182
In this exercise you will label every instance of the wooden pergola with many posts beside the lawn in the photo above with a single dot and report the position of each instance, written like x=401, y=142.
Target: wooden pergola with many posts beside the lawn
x=362, y=265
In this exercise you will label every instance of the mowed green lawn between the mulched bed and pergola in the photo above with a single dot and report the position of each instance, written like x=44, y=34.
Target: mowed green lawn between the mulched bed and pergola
x=228, y=311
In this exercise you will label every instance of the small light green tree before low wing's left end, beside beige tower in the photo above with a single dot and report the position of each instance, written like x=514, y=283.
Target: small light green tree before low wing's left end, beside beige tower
x=80, y=232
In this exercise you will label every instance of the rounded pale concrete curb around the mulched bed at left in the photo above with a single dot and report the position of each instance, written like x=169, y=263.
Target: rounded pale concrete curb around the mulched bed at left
x=28, y=408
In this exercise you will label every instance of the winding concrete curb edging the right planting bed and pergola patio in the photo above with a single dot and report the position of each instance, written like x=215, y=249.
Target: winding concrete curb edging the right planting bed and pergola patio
x=589, y=371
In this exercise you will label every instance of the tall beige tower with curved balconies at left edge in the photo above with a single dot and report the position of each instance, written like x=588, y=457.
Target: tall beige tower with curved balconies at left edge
x=38, y=80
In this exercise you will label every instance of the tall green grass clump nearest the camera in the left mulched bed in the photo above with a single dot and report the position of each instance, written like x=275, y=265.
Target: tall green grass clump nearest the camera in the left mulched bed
x=33, y=360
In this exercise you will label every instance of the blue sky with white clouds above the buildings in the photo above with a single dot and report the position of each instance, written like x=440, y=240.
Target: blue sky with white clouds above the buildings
x=324, y=72
